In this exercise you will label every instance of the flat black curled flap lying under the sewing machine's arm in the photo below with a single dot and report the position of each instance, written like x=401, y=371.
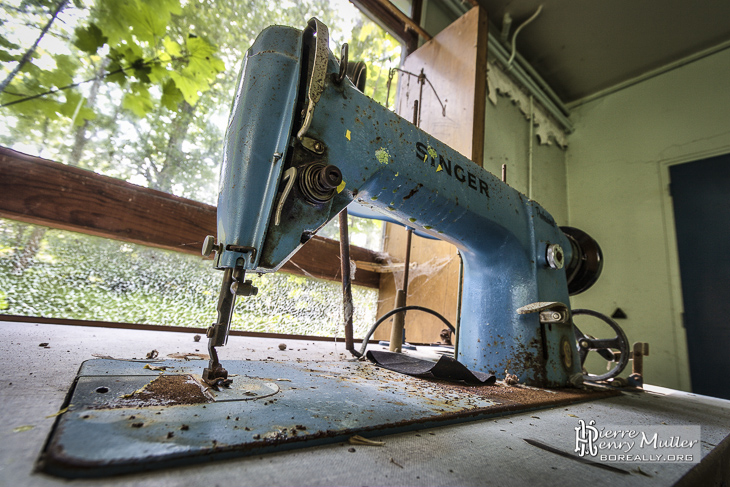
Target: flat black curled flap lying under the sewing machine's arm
x=446, y=368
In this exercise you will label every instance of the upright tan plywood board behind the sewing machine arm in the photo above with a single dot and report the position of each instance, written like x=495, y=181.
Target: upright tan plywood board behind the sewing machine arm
x=455, y=64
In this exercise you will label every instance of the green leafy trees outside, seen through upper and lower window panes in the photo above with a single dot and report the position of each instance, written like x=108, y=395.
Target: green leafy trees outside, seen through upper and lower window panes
x=140, y=90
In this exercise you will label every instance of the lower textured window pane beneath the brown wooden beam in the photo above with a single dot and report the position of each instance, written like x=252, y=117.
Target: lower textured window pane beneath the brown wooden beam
x=57, y=274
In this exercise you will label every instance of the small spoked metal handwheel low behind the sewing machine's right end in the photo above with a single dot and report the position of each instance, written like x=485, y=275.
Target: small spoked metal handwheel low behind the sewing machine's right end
x=604, y=347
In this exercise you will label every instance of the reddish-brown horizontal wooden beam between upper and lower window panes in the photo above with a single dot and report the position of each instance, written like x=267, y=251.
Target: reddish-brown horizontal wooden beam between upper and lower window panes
x=44, y=192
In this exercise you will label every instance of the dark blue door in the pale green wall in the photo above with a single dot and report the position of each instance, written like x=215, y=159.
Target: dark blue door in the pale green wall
x=701, y=195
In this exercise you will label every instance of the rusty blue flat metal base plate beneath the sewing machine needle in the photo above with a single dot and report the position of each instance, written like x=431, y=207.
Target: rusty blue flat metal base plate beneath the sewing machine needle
x=124, y=418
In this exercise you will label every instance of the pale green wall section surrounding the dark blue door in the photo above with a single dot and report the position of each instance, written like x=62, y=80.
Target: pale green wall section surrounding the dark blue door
x=617, y=171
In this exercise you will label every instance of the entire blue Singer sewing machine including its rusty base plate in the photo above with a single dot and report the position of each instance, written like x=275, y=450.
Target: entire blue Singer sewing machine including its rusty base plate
x=302, y=144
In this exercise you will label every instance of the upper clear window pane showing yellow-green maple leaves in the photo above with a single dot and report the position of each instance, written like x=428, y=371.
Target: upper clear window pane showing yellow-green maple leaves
x=141, y=90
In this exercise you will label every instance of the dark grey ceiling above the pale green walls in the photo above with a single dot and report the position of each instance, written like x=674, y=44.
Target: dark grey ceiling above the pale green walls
x=584, y=47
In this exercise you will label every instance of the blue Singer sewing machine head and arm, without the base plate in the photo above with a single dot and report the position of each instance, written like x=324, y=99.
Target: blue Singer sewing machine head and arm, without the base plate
x=303, y=143
